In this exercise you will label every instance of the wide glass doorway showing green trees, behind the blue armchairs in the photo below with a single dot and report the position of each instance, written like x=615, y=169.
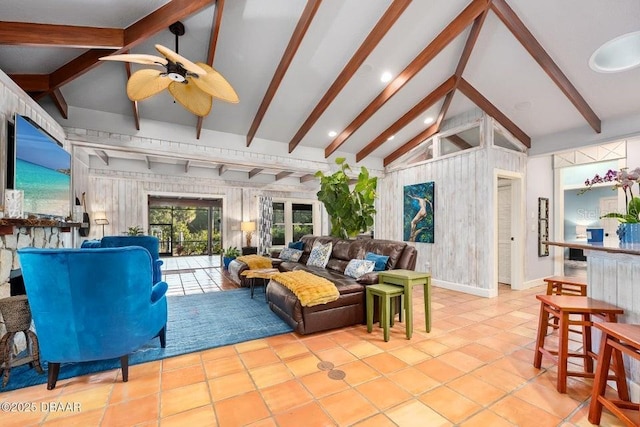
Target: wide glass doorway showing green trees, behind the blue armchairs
x=186, y=227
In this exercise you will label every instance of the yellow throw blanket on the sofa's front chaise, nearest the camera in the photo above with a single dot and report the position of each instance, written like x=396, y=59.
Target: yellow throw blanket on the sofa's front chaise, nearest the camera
x=310, y=289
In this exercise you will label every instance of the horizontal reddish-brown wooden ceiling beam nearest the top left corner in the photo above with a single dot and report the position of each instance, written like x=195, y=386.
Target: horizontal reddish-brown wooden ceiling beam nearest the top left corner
x=30, y=34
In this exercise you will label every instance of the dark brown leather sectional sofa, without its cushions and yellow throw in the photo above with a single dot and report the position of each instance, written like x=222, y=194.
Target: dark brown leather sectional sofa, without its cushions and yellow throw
x=349, y=309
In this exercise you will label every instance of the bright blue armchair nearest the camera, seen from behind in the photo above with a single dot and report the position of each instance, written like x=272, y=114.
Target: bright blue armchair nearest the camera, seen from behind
x=93, y=304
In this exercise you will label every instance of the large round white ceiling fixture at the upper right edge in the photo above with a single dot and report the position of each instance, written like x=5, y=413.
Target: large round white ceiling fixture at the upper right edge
x=620, y=54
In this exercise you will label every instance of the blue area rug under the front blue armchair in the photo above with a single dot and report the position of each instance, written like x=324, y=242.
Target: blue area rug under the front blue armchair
x=196, y=322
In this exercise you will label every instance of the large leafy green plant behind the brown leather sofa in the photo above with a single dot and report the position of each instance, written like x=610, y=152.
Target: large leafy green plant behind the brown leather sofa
x=350, y=207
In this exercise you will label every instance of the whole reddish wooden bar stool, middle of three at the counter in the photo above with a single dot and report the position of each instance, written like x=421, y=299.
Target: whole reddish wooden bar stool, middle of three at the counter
x=562, y=306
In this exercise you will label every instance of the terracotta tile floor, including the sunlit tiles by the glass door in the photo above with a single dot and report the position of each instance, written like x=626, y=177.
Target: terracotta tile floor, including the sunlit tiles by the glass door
x=473, y=369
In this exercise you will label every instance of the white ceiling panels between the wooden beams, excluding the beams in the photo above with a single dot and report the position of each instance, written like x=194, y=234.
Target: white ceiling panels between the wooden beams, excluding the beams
x=255, y=33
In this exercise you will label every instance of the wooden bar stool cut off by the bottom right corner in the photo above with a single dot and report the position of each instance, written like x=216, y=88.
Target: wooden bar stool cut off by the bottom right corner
x=617, y=338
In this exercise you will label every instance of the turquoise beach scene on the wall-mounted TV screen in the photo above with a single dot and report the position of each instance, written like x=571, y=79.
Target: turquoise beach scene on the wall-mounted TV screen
x=43, y=171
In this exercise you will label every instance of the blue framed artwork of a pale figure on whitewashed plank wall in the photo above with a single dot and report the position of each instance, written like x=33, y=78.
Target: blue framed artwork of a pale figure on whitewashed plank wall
x=418, y=217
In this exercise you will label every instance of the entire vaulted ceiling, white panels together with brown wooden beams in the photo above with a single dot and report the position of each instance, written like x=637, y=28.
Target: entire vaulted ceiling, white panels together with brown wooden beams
x=304, y=68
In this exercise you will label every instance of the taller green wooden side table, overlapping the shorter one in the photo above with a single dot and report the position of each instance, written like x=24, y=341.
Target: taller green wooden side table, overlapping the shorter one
x=408, y=279
